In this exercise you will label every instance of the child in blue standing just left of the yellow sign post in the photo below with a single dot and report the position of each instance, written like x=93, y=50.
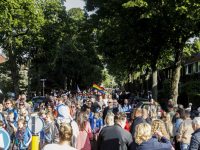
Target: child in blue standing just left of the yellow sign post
x=23, y=135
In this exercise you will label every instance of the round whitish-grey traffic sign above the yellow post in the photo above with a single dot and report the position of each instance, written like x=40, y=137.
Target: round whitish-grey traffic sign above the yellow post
x=35, y=124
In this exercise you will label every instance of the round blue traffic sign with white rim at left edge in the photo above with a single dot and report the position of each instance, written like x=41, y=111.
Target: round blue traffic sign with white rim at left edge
x=4, y=139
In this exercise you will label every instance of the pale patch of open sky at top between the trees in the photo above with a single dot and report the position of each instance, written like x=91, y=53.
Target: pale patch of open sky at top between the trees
x=74, y=4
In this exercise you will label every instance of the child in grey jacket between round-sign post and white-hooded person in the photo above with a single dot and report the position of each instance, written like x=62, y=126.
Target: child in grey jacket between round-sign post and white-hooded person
x=50, y=130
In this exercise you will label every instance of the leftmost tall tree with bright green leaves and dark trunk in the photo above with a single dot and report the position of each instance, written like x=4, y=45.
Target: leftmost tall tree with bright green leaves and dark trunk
x=18, y=18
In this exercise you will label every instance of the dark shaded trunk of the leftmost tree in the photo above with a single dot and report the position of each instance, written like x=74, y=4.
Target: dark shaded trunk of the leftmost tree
x=13, y=68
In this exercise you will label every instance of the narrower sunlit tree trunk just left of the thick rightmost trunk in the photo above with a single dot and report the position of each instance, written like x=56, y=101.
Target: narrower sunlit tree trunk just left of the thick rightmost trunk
x=155, y=81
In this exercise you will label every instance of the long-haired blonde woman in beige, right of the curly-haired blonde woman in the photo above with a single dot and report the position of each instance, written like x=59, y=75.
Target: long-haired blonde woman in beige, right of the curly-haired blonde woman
x=168, y=125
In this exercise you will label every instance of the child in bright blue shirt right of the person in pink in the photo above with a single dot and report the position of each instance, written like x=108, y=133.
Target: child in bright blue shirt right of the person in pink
x=99, y=124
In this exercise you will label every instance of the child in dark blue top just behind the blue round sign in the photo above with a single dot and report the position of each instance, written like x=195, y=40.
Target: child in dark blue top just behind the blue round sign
x=11, y=127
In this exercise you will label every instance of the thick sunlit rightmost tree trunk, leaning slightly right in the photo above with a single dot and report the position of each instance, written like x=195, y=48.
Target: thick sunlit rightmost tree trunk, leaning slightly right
x=176, y=75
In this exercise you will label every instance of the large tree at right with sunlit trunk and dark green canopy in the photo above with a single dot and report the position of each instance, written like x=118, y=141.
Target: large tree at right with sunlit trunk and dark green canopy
x=179, y=20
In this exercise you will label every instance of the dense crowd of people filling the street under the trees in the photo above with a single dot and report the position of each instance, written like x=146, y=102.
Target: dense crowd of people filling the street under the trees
x=91, y=121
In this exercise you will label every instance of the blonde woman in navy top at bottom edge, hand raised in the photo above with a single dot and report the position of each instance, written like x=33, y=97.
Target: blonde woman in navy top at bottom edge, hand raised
x=144, y=140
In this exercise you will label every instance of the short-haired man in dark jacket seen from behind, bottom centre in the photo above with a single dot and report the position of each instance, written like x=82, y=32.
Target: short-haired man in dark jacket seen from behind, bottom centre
x=115, y=137
